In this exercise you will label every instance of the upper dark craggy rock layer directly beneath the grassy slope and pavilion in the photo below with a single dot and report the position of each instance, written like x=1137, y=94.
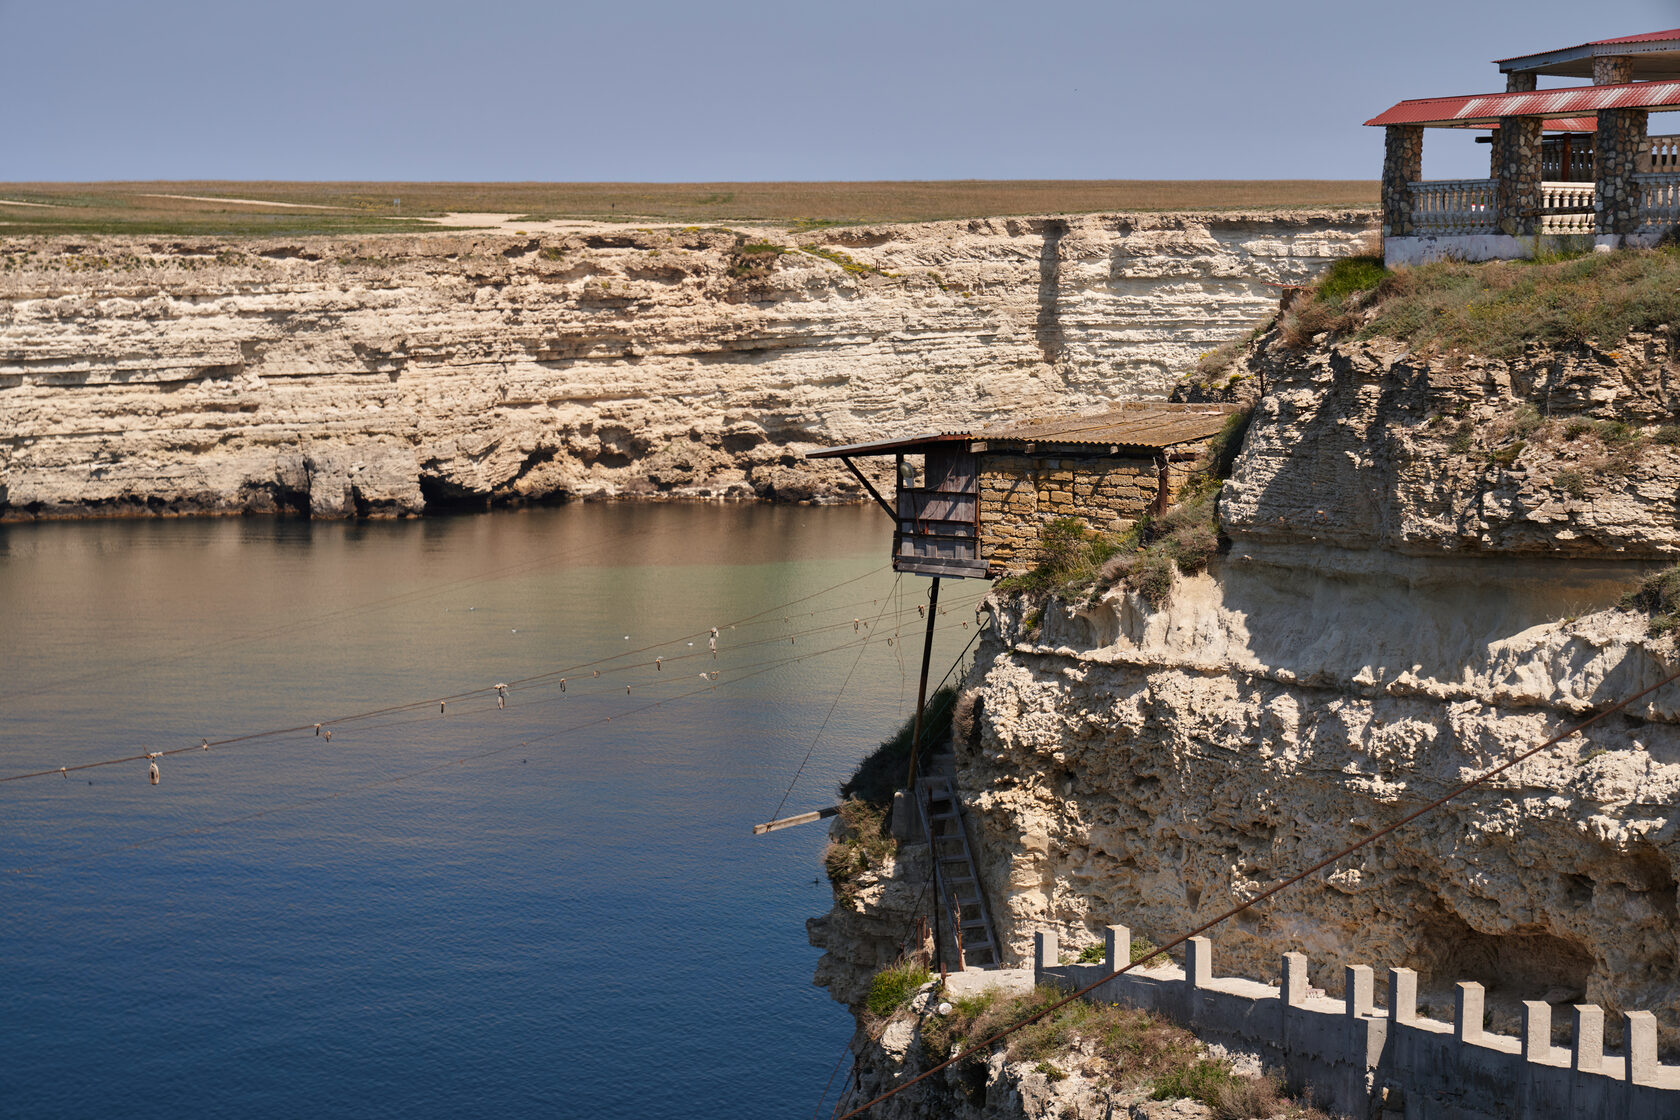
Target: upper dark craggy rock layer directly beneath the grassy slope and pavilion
x=1363, y=446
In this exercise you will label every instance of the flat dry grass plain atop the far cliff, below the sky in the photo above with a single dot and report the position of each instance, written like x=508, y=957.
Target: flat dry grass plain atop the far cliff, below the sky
x=291, y=209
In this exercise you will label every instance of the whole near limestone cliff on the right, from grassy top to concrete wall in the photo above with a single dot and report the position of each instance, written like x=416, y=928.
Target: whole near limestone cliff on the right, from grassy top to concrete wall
x=1425, y=557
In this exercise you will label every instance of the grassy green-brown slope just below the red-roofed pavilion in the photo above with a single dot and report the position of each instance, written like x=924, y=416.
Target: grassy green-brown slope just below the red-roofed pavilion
x=1496, y=310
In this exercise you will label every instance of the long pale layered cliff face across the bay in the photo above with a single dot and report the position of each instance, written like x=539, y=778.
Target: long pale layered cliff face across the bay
x=387, y=375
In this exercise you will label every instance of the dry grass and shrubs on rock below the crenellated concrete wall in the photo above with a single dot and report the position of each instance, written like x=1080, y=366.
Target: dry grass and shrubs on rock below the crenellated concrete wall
x=1116, y=1047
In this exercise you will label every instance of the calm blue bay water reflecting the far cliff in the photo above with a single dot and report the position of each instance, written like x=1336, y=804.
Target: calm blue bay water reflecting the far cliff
x=476, y=914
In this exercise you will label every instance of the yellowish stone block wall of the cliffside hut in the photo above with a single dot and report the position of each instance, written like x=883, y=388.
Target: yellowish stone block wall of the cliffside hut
x=1021, y=493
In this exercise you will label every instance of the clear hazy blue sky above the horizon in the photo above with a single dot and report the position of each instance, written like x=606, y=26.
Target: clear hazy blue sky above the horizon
x=752, y=90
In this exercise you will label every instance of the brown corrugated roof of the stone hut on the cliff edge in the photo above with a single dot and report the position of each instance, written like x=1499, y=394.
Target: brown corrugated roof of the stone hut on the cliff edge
x=1148, y=427
